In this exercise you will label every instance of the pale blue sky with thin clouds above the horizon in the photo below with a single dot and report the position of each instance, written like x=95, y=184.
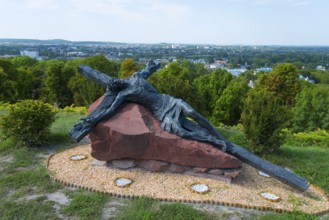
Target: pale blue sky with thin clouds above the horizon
x=220, y=22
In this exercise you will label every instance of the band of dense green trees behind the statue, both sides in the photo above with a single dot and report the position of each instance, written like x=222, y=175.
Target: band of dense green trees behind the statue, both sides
x=279, y=99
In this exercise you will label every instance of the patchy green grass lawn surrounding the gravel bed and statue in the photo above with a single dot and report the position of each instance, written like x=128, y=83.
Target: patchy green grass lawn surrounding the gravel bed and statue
x=26, y=189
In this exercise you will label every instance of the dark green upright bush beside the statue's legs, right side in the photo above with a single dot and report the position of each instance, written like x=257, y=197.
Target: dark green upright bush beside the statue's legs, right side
x=263, y=120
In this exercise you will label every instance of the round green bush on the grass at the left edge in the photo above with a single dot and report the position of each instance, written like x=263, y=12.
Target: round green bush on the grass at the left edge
x=28, y=122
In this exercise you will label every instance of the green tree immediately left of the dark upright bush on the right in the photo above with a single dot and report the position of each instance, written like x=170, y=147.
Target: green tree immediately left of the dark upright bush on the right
x=230, y=105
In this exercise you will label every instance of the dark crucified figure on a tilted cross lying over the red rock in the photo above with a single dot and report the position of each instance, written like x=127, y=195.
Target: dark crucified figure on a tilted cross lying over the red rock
x=172, y=113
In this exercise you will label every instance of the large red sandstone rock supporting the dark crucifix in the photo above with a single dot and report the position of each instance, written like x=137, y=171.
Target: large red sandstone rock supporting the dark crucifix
x=134, y=133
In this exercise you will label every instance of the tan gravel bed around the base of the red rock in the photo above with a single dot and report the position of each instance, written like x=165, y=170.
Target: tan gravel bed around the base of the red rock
x=243, y=192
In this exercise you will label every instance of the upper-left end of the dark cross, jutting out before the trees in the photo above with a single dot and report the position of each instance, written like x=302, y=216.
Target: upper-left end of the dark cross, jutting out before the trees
x=94, y=75
